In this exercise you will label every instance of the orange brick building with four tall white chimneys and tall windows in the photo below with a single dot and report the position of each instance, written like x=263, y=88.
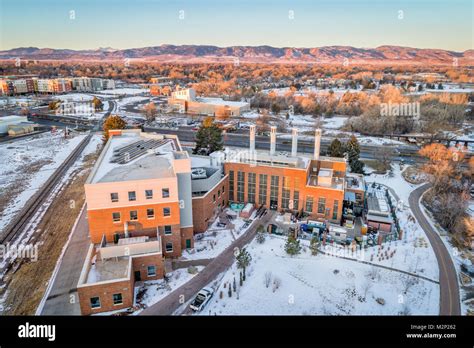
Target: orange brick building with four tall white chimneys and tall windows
x=290, y=183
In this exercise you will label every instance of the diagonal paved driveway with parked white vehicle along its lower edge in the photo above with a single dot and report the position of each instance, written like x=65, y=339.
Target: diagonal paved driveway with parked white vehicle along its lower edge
x=221, y=263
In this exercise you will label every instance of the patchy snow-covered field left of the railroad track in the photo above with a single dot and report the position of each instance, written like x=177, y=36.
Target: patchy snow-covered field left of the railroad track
x=26, y=165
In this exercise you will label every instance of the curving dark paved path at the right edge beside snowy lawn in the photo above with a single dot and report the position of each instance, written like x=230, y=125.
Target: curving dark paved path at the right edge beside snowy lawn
x=449, y=288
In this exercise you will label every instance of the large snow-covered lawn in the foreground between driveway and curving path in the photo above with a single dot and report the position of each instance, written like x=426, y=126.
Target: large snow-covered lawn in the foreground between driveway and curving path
x=319, y=285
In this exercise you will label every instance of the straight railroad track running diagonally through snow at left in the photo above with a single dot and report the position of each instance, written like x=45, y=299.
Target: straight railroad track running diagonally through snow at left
x=34, y=203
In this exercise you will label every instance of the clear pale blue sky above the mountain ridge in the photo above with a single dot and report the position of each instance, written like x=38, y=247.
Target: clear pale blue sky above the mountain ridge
x=90, y=24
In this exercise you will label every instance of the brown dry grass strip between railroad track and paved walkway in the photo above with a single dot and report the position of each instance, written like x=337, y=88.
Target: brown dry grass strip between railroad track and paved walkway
x=28, y=280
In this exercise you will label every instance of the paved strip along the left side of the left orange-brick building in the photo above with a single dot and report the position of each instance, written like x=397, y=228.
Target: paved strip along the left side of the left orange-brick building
x=64, y=285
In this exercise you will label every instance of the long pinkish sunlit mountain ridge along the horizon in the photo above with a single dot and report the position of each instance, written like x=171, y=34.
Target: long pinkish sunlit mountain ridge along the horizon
x=255, y=54
